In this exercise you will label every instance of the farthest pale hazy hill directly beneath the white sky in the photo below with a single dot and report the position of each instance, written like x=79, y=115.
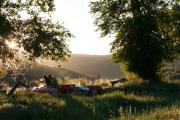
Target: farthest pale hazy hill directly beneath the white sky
x=93, y=65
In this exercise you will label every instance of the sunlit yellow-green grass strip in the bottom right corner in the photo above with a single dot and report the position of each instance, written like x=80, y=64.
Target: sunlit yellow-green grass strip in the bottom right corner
x=166, y=113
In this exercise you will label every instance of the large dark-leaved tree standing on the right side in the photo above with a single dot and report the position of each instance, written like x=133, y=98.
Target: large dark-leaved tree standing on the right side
x=146, y=32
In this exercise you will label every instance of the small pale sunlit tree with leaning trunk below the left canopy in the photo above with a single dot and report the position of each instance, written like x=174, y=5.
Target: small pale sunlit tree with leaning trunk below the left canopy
x=14, y=71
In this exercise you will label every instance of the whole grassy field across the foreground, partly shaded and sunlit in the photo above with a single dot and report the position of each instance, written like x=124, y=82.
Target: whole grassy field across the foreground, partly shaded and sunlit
x=160, y=101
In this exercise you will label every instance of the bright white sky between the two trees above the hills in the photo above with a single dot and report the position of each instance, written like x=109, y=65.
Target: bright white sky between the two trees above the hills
x=75, y=16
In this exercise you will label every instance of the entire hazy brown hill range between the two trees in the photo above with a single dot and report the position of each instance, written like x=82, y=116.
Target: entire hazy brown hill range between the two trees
x=78, y=66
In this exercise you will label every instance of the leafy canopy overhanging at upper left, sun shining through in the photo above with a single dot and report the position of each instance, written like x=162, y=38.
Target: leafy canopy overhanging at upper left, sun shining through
x=29, y=24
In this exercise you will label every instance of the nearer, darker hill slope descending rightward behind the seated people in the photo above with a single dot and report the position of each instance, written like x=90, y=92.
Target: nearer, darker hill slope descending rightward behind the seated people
x=39, y=70
